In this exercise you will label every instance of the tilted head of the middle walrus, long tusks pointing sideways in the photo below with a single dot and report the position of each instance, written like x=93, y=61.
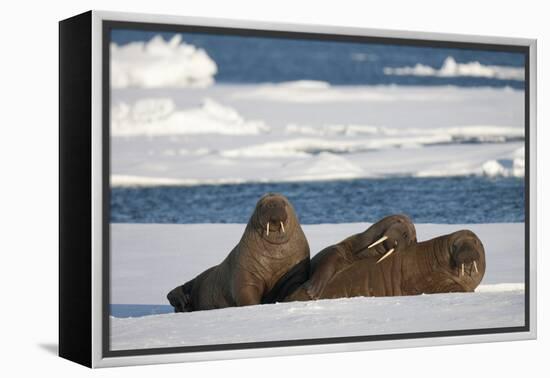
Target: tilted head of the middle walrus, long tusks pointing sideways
x=392, y=234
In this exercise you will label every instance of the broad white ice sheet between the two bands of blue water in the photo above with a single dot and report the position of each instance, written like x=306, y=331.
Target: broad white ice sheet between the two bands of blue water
x=310, y=130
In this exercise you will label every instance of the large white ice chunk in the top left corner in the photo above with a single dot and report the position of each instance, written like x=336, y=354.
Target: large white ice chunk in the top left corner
x=159, y=63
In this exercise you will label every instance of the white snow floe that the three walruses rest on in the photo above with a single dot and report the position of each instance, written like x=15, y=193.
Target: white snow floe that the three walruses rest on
x=149, y=260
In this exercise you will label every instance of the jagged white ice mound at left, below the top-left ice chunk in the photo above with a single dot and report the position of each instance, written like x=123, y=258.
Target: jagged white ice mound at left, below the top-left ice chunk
x=159, y=116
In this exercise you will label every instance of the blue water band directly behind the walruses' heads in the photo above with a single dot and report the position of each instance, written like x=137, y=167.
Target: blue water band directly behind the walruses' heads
x=426, y=200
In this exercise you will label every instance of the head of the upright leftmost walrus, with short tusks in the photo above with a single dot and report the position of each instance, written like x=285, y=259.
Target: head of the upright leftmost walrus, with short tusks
x=274, y=218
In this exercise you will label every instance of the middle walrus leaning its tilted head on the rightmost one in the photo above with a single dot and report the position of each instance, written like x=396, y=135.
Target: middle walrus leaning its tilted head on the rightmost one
x=391, y=234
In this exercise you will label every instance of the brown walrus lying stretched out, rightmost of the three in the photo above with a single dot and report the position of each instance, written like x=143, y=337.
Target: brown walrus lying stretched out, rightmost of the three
x=445, y=264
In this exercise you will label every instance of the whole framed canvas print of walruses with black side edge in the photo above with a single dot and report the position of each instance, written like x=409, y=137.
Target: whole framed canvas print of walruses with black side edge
x=232, y=189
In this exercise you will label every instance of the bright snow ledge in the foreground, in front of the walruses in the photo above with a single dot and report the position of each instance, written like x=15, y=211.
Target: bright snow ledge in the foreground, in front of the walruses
x=322, y=319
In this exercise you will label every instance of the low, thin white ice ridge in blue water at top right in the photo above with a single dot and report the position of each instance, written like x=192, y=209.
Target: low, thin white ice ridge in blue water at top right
x=451, y=68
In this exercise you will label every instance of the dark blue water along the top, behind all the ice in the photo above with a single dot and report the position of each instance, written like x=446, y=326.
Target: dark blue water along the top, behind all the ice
x=262, y=59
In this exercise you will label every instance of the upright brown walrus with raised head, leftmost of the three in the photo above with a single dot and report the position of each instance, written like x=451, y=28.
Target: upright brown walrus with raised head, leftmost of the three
x=270, y=260
